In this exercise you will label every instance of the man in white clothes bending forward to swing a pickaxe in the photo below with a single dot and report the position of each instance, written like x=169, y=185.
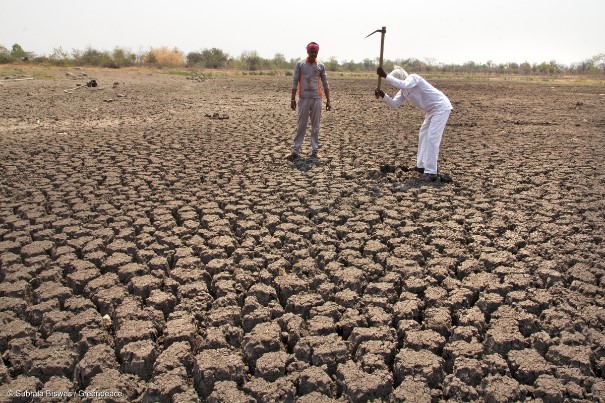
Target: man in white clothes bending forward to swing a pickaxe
x=437, y=107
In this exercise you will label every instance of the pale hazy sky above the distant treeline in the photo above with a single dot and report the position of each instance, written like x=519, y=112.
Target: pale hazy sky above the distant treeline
x=446, y=31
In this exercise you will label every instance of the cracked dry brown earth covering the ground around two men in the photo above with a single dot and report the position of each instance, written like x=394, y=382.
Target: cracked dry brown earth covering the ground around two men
x=151, y=249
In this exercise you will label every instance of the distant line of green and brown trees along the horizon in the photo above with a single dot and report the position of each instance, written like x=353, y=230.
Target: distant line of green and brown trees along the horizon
x=251, y=61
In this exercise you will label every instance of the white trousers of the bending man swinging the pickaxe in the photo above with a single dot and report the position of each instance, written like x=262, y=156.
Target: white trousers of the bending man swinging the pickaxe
x=429, y=140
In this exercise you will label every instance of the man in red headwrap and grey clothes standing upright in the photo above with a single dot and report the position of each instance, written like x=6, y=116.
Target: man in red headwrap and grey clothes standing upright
x=309, y=78
